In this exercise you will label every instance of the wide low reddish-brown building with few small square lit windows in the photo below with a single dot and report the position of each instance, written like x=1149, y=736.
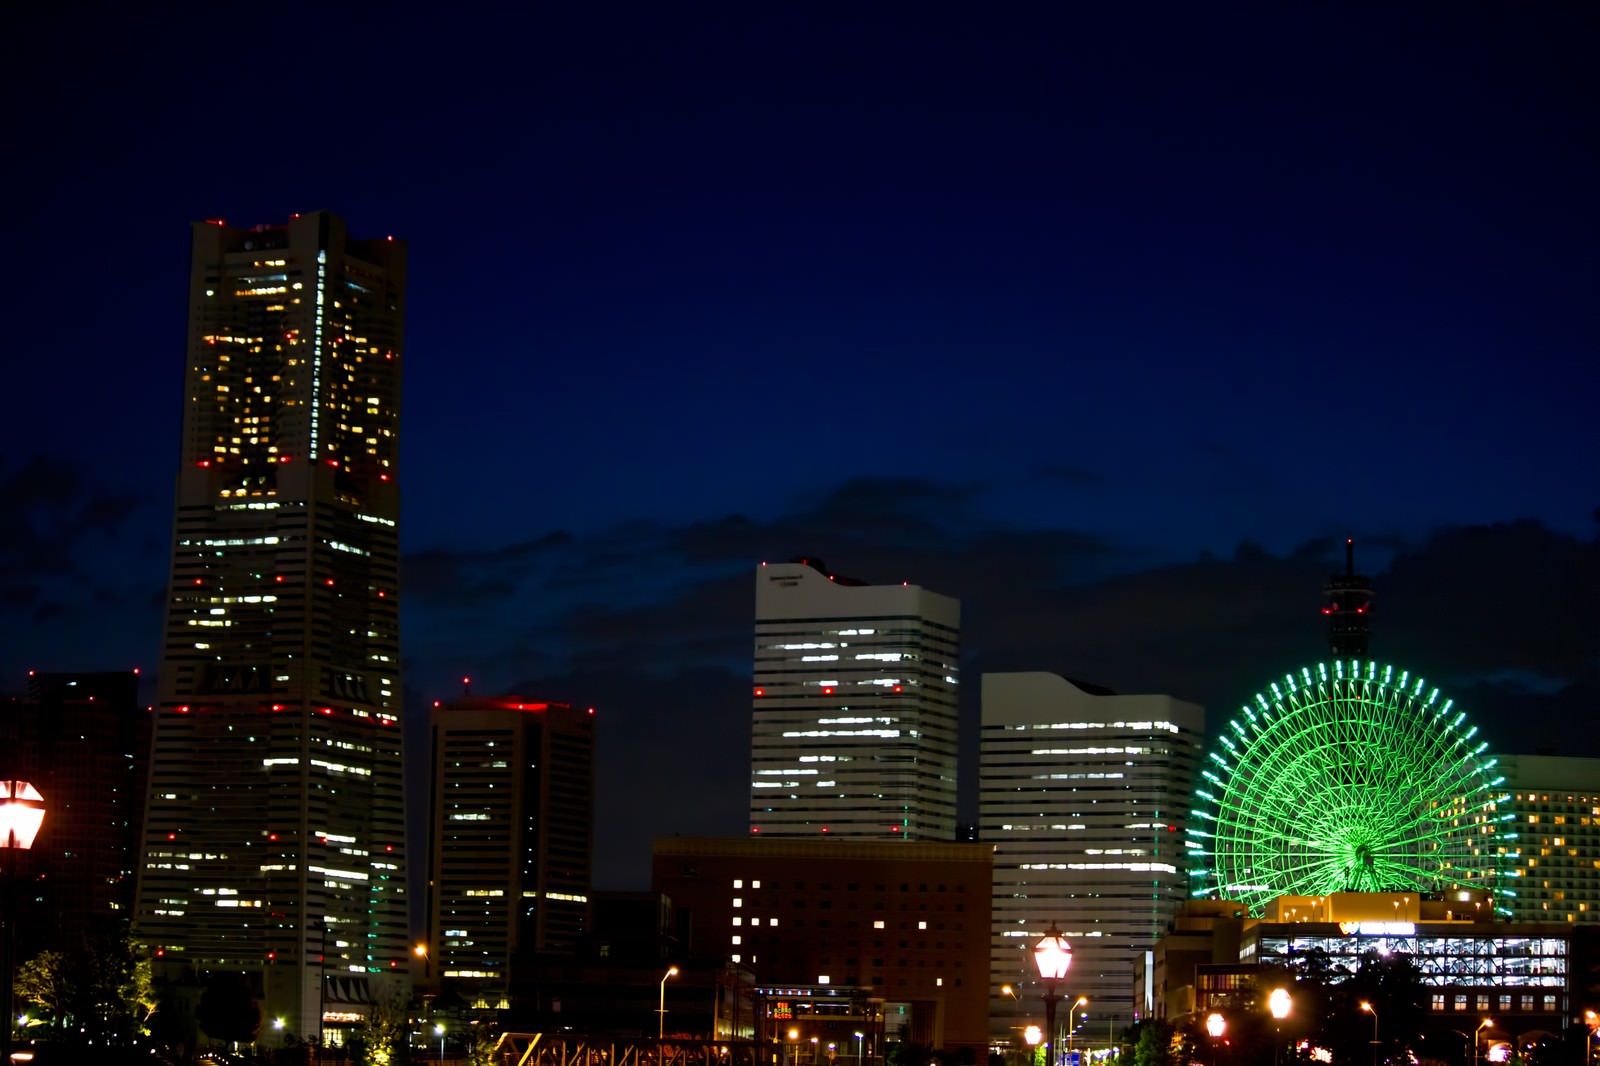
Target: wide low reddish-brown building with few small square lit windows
x=881, y=937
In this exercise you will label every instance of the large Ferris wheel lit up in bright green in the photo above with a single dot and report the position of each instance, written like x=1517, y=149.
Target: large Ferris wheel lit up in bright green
x=1348, y=777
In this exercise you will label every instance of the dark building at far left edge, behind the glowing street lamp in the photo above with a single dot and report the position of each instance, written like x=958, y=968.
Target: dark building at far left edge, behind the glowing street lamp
x=82, y=740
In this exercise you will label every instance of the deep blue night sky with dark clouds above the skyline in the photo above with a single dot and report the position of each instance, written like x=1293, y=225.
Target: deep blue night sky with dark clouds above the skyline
x=1113, y=324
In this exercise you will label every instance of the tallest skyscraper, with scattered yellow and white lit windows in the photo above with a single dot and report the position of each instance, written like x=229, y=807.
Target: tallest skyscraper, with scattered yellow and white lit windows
x=274, y=838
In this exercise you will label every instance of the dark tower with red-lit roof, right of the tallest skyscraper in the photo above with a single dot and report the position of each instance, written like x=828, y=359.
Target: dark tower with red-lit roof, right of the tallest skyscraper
x=511, y=827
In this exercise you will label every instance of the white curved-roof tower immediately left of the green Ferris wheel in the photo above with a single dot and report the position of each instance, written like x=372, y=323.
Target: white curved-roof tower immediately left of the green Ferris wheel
x=1086, y=796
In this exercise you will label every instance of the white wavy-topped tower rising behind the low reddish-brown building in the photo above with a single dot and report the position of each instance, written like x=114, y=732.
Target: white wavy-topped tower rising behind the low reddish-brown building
x=855, y=707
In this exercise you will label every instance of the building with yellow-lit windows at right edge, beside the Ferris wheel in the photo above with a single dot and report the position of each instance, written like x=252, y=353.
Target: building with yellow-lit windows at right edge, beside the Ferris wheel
x=1554, y=862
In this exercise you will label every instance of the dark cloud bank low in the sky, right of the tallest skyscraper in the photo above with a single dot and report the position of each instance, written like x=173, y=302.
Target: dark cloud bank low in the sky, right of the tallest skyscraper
x=652, y=623
